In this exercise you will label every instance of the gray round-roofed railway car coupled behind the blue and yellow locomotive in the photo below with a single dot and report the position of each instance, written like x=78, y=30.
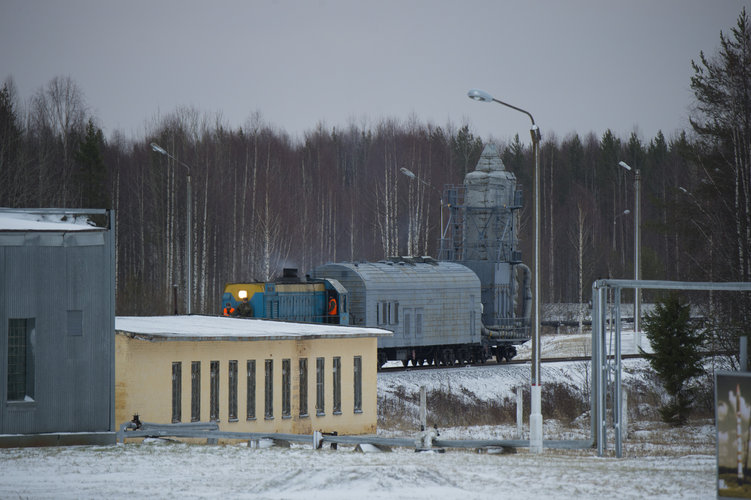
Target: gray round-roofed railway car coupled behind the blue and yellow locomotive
x=432, y=307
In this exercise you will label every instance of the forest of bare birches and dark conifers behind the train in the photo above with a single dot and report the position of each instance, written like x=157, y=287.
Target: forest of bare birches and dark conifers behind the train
x=262, y=201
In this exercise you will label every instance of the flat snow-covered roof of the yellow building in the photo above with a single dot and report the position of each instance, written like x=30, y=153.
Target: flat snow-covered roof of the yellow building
x=173, y=328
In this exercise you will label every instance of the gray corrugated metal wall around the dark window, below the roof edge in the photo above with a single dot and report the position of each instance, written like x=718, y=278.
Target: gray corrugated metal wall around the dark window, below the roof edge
x=64, y=282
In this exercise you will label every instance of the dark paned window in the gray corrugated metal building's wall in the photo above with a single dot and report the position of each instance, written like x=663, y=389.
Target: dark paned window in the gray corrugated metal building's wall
x=20, y=359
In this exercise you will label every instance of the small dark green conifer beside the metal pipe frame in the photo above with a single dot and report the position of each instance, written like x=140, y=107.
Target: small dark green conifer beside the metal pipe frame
x=676, y=357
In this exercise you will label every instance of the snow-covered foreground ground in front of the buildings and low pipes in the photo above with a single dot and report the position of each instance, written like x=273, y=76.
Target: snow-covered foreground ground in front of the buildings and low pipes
x=185, y=471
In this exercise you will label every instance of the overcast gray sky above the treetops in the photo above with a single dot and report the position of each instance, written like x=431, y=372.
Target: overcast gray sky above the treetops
x=578, y=66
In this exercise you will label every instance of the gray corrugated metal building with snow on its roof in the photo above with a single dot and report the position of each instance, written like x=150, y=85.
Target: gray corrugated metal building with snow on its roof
x=57, y=310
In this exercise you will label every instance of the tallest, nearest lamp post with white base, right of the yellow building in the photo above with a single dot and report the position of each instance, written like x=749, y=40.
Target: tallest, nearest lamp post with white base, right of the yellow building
x=535, y=417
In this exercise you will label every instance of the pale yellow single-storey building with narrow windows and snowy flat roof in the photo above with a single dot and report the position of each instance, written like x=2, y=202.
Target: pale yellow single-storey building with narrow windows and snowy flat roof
x=248, y=375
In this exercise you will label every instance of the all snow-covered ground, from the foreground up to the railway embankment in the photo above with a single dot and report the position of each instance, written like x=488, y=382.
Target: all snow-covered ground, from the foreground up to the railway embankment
x=659, y=462
